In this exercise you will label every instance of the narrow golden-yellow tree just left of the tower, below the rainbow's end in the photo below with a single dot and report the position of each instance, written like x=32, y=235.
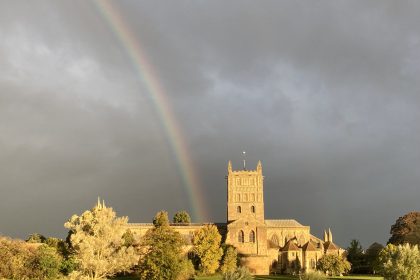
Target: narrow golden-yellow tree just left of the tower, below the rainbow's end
x=206, y=243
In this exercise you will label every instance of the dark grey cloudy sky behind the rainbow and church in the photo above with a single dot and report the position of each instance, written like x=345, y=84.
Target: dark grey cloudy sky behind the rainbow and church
x=325, y=93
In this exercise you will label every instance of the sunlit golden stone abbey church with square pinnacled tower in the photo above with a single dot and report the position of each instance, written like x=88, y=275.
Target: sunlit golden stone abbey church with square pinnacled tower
x=265, y=246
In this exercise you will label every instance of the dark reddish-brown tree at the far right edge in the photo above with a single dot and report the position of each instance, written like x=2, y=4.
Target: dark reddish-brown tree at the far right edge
x=406, y=229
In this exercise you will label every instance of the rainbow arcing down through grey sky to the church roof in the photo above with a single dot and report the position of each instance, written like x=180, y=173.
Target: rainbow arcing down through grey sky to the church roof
x=156, y=91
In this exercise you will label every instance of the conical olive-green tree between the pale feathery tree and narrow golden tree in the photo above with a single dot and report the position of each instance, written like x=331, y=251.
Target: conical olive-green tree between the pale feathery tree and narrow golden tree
x=162, y=255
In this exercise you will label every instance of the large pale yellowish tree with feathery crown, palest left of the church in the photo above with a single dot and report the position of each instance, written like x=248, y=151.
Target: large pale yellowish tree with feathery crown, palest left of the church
x=97, y=242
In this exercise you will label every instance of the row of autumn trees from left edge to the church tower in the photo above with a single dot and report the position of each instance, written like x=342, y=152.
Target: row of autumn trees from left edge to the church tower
x=100, y=245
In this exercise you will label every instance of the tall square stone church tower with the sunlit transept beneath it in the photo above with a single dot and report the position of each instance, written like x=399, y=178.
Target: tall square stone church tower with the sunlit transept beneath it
x=246, y=229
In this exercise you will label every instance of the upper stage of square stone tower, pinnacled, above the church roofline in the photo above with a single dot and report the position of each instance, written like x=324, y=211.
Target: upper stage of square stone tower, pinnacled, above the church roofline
x=245, y=193
